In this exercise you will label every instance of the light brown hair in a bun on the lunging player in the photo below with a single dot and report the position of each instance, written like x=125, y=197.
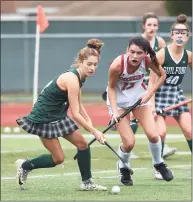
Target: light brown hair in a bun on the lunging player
x=92, y=49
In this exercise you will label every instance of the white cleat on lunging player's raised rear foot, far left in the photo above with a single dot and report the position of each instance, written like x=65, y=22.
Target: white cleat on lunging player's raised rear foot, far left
x=21, y=176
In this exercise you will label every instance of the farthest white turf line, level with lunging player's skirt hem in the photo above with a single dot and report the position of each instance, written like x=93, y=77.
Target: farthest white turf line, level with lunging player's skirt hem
x=108, y=135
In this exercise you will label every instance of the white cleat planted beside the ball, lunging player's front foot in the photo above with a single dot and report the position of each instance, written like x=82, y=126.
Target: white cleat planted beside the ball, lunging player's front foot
x=91, y=186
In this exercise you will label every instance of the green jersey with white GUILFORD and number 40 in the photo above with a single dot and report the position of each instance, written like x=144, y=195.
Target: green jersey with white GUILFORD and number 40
x=174, y=70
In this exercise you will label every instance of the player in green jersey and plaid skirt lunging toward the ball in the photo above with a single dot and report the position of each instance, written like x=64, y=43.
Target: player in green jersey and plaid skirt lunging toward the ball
x=49, y=120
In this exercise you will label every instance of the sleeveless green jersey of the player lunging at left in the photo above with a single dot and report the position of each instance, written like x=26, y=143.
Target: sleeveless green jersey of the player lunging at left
x=52, y=103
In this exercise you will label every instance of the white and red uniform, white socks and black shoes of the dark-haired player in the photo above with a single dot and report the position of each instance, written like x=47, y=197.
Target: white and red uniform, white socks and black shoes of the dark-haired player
x=129, y=88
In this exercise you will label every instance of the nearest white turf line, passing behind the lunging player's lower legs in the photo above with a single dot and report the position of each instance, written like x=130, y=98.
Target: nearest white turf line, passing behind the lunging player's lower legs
x=96, y=172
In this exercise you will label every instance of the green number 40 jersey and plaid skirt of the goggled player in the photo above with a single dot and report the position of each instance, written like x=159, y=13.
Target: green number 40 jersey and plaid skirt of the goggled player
x=171, y=92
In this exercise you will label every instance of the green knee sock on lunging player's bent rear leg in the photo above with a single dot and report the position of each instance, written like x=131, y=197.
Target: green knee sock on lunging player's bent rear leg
x=43, y=161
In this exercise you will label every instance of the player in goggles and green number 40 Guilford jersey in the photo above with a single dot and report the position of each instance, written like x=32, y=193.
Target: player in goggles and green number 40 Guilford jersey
x=174, y=58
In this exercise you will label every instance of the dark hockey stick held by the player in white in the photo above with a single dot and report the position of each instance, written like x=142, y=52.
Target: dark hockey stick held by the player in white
x=114, y=122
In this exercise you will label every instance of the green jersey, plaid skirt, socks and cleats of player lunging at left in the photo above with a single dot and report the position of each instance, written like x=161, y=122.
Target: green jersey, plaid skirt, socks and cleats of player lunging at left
x=49, y=119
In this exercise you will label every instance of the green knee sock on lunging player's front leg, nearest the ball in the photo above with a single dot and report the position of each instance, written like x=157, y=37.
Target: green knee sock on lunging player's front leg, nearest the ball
x=84, y=163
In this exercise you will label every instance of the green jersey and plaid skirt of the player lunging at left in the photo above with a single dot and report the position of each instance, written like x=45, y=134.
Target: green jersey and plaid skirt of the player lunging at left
x=48, y=117
